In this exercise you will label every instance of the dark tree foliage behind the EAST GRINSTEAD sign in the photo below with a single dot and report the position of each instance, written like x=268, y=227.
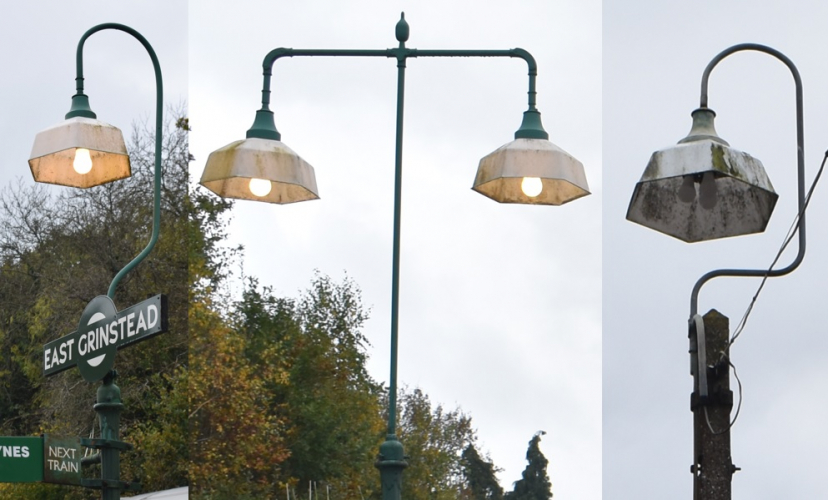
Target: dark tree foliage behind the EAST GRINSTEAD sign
x=57, y=252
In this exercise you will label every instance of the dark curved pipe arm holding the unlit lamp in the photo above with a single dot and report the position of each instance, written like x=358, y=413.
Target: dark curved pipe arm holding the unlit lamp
x=800, y=160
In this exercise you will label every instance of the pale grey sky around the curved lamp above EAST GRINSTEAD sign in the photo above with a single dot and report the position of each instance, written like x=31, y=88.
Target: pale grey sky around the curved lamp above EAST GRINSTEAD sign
x=40, y=40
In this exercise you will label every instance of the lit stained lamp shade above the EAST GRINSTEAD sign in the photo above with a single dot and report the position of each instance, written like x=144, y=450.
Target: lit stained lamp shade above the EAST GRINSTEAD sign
x=53, y=159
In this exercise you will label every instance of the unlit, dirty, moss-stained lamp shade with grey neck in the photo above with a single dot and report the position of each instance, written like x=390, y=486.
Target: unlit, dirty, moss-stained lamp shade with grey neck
x=702, y=189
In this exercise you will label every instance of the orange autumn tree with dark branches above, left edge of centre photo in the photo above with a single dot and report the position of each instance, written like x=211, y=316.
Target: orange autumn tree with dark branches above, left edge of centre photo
x=235, y=437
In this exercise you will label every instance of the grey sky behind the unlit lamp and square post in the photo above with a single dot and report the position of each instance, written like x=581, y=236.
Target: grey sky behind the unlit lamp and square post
x=654, y=55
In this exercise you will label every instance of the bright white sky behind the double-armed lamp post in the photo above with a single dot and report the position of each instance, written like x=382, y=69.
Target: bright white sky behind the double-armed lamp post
x=500, y=309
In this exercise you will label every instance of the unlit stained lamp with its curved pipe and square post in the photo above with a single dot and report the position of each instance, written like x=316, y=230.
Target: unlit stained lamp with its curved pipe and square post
x=702, y=189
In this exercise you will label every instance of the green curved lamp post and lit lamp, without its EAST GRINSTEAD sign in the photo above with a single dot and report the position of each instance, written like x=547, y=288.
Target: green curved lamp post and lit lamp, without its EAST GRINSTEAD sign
x=85, y=152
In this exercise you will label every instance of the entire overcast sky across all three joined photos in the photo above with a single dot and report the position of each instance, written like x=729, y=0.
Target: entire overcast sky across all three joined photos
x=501, y=306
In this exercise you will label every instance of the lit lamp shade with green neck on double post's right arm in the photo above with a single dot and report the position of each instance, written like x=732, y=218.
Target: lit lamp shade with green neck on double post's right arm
x=531, y=170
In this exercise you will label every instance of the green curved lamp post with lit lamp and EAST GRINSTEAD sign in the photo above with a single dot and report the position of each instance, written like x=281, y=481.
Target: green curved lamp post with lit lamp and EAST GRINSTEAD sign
x=85, y=152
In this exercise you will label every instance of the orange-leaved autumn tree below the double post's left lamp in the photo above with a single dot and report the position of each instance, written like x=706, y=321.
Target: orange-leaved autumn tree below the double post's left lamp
x=235, y=437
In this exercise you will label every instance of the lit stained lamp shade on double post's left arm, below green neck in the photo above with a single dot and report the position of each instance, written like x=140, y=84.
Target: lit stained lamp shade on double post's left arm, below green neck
x=282, y=176
